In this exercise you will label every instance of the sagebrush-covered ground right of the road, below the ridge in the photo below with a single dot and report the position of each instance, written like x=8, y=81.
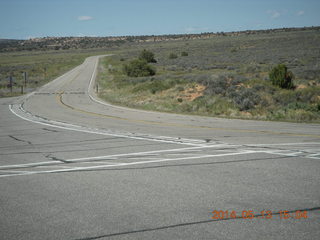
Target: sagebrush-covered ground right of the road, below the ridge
x=267, y=76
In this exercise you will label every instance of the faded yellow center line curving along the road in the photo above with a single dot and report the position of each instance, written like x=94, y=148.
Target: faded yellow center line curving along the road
x=60, y=101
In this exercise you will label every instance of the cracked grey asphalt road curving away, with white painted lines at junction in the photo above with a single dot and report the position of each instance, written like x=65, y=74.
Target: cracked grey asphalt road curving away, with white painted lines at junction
x=73, y=167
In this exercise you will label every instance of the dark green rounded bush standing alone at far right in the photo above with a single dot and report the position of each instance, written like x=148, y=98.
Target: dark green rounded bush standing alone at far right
x=281, y=77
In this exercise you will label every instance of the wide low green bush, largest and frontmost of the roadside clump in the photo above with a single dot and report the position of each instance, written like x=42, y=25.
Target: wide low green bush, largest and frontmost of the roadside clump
x=138, y=68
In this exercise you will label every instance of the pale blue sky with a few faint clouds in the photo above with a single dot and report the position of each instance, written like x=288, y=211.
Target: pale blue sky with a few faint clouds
x=23, y=19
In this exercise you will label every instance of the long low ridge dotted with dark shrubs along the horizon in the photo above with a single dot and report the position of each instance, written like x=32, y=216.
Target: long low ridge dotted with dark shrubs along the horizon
x=57, y=43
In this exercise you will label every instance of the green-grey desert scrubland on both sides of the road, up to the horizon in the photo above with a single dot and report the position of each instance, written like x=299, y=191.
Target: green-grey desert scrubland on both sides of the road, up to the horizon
x=267, y=74
